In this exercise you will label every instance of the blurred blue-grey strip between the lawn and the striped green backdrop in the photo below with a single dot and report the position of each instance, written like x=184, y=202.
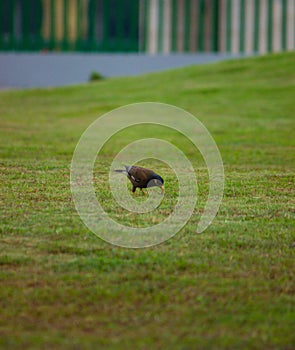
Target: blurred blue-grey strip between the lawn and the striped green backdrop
x=24, y=70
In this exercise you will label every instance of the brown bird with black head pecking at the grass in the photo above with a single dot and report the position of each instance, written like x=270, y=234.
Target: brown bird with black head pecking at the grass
x=142, y=178
